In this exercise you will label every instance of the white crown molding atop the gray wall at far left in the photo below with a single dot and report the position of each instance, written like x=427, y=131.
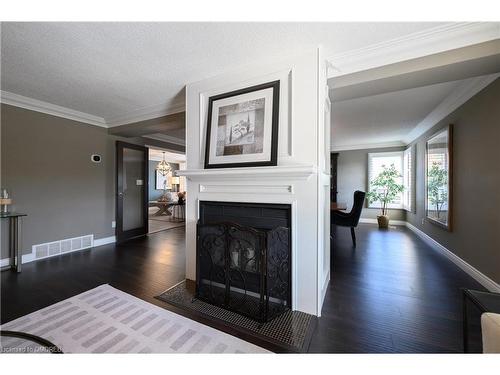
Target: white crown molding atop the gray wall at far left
x=50, y=109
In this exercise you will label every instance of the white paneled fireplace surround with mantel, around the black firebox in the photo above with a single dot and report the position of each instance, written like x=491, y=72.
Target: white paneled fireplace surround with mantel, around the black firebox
x=300, y=179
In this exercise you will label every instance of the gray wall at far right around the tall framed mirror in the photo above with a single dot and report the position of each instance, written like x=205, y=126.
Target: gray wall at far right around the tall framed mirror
x=476, y=183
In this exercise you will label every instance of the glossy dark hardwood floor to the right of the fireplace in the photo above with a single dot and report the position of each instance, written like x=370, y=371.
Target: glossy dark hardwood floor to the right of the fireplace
x=393, y=293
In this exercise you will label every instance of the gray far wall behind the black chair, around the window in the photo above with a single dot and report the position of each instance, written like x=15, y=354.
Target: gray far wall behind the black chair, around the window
x=352, y=175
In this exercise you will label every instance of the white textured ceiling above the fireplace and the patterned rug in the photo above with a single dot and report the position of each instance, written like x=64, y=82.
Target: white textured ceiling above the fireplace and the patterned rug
x=118, y=70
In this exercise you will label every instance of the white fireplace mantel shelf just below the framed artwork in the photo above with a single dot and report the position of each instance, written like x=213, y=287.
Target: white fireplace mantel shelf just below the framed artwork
x=290, y=172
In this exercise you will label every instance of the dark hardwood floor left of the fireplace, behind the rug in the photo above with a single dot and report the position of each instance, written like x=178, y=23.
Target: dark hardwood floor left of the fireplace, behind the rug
x=143, y=267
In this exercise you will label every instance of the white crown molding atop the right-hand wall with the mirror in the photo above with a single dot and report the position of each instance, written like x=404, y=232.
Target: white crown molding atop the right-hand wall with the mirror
x=458, y=97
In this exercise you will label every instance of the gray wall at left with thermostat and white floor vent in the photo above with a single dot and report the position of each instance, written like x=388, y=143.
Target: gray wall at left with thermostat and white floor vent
x=46, y=166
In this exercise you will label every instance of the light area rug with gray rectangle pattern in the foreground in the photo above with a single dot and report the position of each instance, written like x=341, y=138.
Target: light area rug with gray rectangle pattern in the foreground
x=107, y=320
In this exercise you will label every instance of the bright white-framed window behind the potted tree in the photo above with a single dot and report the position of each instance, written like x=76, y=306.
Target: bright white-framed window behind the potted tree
x=403, y=162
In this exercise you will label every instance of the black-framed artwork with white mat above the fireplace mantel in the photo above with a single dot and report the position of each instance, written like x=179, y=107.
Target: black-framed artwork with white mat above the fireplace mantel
x=242, y=127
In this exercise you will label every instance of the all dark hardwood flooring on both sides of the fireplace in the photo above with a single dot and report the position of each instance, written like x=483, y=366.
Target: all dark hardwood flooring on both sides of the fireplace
x=391, y=294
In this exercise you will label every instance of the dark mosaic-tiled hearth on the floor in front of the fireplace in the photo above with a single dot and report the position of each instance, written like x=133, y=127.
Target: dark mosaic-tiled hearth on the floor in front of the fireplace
x=289, y=332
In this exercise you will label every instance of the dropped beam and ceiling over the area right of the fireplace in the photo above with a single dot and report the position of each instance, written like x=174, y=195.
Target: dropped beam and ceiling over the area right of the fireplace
x=394, y=104
